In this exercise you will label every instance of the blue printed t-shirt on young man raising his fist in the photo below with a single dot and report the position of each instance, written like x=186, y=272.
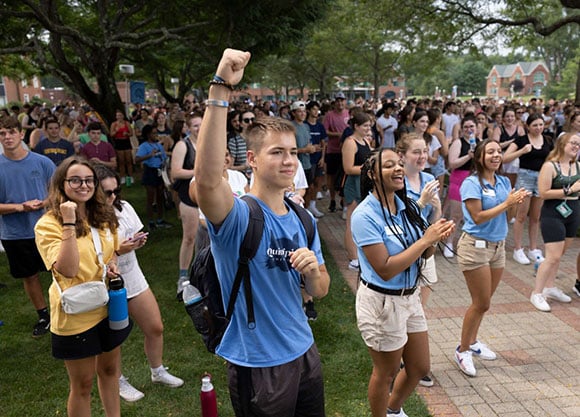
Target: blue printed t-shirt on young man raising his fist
x=282, y=333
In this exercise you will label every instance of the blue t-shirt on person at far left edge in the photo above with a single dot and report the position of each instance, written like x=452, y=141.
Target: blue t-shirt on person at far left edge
x=20, y=181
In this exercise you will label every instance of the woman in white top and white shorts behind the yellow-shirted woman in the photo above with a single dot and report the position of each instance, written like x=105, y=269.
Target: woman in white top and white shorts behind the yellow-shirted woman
x=143, y=306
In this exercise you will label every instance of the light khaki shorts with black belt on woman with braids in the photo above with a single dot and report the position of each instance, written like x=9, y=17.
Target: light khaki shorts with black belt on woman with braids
x=385, y=320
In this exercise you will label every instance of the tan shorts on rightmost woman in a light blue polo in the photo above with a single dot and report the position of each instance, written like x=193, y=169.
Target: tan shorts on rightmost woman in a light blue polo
x=469, y=257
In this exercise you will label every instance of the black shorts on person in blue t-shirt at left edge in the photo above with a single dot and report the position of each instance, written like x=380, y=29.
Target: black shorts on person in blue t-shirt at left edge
x=23, y=258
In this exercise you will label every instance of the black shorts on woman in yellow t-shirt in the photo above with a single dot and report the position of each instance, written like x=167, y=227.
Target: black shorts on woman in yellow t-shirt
x=92, y=342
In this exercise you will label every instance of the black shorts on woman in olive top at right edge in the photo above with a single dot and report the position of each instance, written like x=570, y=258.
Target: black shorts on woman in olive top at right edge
x=556, y=228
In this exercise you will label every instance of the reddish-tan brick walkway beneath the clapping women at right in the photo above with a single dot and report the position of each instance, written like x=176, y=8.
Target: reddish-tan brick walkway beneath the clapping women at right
x=537, y=372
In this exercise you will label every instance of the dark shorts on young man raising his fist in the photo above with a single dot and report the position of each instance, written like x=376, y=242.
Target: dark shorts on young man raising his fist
x=292, y=389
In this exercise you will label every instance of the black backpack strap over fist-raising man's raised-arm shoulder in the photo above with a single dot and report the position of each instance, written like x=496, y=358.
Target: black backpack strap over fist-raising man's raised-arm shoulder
x=248, y=250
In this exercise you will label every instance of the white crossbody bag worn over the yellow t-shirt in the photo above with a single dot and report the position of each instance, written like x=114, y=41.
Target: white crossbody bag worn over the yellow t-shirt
x=87, y=296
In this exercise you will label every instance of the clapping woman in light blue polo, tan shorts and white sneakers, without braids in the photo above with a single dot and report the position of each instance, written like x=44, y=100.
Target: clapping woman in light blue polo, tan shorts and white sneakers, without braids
x=486, y=196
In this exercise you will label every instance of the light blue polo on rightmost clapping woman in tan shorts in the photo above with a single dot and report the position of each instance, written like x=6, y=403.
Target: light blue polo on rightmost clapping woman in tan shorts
x=494, y=229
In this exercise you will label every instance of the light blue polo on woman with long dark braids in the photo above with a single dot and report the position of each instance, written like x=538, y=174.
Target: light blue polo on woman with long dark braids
x=369, y=228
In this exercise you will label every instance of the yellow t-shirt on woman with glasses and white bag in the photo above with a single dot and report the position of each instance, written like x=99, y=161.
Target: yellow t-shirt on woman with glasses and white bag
x=48, y=233
